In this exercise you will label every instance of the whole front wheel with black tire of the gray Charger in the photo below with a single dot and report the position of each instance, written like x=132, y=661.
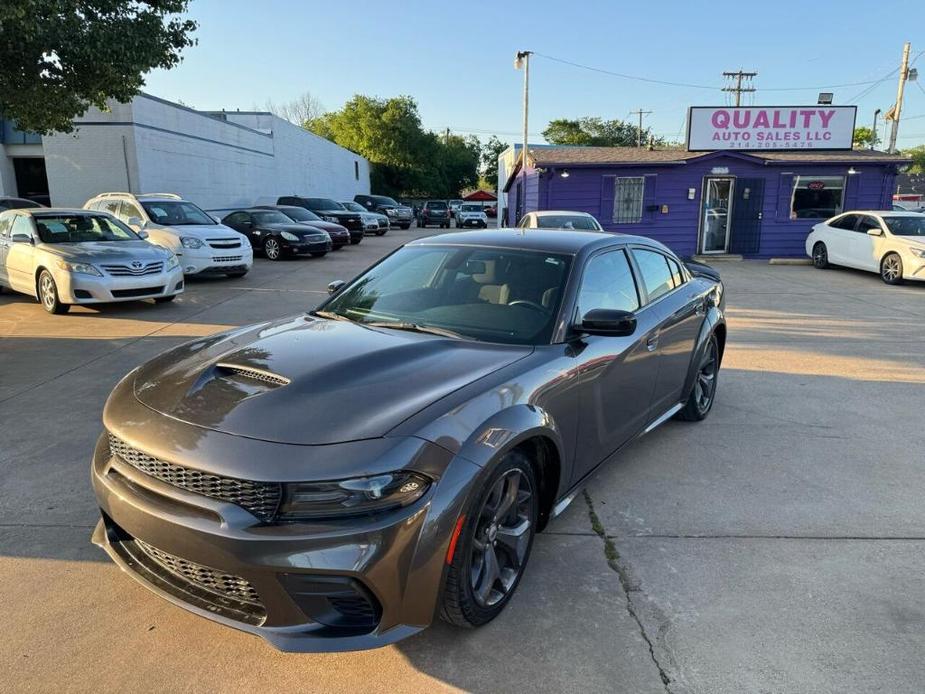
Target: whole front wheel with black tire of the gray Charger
x=471, y=597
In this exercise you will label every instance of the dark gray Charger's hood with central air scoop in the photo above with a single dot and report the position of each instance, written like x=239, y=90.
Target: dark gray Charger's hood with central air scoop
x=305, y=380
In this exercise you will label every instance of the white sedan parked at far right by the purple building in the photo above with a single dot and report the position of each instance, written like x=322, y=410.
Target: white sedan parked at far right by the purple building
x=889, y=243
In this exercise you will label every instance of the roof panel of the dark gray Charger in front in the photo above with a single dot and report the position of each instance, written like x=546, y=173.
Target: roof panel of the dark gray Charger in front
x=550, y=240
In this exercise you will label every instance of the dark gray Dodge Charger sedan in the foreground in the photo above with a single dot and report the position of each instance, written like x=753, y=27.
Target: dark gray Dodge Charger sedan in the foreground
x=334, y=480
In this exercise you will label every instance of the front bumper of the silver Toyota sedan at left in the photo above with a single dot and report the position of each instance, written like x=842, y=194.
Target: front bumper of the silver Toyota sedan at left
x=86, y=289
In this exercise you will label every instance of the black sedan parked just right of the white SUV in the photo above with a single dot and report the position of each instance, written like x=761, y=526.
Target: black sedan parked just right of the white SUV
x=277, y=235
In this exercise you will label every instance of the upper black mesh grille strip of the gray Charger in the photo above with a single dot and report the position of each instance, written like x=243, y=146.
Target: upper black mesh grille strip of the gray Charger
x=259, y=498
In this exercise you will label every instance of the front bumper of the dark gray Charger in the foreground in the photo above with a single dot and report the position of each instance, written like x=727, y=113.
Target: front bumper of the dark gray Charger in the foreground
x=395, y=559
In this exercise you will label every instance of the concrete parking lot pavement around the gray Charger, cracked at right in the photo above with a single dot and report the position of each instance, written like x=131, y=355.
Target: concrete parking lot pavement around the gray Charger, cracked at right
x=775, y=547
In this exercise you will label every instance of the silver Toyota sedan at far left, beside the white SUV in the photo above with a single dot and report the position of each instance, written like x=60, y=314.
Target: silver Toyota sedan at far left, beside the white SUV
x=64, y=257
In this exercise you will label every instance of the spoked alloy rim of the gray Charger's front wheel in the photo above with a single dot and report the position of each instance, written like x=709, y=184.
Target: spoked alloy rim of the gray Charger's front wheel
x=502, y=538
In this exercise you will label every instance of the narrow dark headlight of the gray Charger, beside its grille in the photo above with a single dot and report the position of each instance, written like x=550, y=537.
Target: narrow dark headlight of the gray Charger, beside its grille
x=360, y=495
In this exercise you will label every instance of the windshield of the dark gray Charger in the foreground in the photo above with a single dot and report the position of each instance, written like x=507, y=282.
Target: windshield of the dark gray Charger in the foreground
x=489, y=294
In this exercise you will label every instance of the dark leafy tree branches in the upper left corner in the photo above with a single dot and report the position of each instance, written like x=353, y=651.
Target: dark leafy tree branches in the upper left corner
x=59, y=57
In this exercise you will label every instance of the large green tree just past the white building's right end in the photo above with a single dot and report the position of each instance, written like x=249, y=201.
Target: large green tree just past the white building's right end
x=406, y=159
